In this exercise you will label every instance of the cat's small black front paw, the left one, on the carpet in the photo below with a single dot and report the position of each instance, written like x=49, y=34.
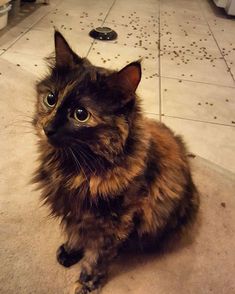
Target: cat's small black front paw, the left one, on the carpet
x=66, y=258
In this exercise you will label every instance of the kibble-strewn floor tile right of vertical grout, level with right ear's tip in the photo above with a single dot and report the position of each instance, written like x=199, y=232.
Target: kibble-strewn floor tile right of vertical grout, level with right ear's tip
x=195, y=68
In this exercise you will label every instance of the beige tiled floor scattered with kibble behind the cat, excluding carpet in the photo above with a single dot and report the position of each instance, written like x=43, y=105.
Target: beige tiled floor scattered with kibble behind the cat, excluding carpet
x=188, y=51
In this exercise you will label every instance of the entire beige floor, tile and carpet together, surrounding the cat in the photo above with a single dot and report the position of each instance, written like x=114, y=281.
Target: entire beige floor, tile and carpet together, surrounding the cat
x=188, y=51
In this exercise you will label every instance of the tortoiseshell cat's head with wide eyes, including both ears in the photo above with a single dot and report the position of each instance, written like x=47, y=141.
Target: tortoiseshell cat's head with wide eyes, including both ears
x=82, y=106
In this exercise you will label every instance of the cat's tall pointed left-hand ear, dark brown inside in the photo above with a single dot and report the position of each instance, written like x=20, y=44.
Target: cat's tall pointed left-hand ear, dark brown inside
x=64, y=55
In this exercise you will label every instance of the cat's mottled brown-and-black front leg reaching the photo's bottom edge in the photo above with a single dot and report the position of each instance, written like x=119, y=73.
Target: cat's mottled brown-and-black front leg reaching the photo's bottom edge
x=94, y=269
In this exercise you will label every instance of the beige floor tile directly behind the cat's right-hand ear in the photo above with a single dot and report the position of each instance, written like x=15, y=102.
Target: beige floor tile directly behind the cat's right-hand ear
x=115, y=57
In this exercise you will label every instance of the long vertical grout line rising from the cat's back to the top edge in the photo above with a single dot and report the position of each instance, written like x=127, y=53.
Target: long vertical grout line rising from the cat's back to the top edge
x=159, y=61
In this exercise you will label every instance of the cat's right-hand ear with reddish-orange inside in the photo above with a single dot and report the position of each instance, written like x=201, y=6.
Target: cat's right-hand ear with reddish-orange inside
x=130, y=76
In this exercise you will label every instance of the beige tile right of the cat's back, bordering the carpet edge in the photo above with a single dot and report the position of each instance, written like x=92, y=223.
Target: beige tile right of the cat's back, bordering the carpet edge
x=215, y=143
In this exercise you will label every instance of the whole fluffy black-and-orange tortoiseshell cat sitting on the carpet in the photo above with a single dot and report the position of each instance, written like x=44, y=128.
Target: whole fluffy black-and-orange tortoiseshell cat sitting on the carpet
x=111, y=175
